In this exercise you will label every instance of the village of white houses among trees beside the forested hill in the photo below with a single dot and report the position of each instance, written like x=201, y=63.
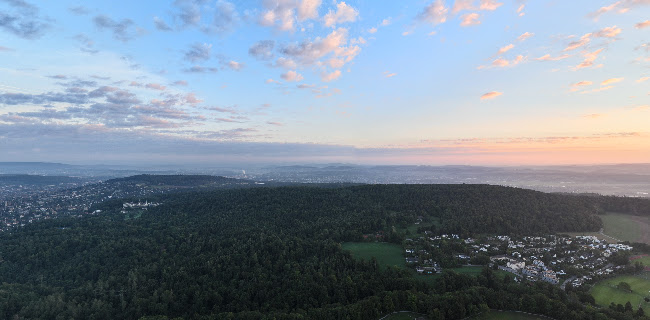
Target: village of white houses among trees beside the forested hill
x=556, y=259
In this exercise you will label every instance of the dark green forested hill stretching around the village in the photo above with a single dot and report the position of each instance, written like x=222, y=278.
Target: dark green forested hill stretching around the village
x=273, y=252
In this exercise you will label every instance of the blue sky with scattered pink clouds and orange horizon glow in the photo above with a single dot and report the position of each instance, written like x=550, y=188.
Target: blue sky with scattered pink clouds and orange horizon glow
x=471, y=82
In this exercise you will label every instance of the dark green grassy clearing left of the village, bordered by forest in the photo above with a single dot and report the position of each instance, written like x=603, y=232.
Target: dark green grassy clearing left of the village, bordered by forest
x=387, y=254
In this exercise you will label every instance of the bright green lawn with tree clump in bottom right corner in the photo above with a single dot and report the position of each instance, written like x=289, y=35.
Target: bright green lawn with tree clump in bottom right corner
x=606, y=291
